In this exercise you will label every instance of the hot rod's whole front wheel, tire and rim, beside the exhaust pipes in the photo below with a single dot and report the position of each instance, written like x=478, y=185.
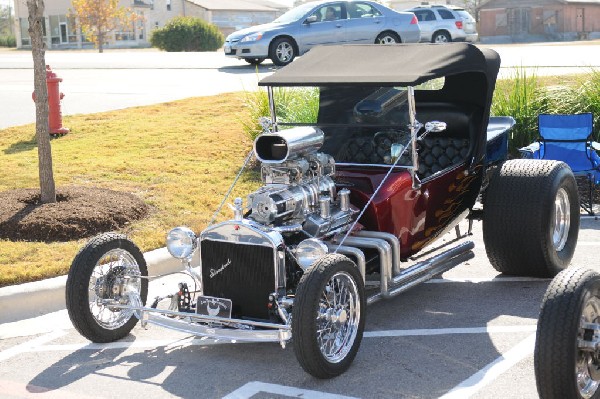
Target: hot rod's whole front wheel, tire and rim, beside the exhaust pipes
x=328, y=317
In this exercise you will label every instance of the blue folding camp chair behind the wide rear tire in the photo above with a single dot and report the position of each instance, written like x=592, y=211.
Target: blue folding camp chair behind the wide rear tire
x=568, y=138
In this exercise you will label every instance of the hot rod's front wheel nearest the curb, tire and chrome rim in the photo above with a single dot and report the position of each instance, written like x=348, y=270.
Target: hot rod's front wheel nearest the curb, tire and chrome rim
x=109, y=268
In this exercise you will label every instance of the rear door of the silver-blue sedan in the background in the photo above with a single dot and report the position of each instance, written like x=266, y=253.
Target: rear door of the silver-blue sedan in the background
x=365, y=22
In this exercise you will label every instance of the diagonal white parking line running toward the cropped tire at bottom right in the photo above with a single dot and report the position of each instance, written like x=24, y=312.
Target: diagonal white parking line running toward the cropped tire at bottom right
x=489, y=373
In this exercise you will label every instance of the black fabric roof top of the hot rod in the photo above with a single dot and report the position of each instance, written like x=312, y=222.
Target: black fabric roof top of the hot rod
x=402, y=64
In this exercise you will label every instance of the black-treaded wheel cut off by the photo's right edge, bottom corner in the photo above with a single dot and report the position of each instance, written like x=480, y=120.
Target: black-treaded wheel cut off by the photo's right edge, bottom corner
x=564, y=369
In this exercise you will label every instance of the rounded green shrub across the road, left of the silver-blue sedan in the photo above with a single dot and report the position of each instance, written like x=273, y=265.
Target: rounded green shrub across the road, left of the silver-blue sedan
x=187, y=34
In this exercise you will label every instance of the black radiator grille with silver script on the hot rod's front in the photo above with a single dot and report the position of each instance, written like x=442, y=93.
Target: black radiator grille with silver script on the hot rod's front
x=240, y=272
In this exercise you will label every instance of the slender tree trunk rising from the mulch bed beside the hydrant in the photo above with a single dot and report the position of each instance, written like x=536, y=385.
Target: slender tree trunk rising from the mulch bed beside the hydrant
x=47, y=187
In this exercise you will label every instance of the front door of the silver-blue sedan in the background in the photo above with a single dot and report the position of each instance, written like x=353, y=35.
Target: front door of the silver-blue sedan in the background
x=327, y=26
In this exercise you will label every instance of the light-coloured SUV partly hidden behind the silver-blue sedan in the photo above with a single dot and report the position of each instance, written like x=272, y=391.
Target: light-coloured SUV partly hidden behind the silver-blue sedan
x=442, y=24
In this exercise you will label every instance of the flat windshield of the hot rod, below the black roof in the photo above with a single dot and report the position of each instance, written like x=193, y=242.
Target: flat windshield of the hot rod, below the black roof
x=362, y=125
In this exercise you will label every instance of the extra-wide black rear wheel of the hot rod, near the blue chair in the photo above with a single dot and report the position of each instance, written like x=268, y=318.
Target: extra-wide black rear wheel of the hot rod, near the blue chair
x=531, y=217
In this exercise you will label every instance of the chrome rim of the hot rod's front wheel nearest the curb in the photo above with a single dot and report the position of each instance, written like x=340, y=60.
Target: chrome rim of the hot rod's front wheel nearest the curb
x=115, y=279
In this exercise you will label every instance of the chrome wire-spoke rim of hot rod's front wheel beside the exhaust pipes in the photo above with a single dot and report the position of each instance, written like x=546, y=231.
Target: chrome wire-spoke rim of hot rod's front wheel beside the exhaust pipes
x=338, y=317
